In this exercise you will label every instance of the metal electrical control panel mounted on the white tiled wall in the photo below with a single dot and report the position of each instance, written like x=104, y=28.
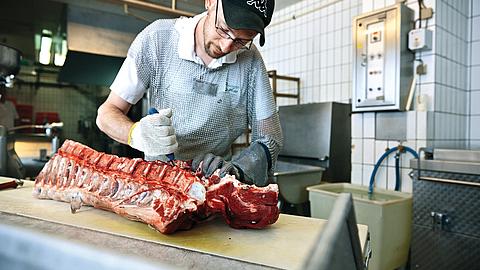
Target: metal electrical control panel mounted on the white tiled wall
x=383, y=65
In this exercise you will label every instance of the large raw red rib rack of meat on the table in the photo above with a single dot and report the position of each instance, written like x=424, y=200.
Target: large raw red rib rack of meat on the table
x=166, y=197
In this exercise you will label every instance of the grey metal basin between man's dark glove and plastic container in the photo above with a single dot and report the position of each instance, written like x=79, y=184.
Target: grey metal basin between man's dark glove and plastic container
x=293, y=180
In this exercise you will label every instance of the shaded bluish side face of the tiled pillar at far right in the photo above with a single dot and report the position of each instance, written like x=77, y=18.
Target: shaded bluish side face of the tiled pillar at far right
x=451, y=74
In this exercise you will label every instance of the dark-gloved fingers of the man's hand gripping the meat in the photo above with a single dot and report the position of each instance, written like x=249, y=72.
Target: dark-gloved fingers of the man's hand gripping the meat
x=211, y=163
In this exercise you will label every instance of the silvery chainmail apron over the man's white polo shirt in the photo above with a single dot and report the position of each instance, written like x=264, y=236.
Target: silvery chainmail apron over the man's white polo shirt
x=211, y=107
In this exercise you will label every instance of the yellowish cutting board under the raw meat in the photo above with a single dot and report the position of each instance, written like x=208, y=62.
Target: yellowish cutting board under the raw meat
x=284, y=244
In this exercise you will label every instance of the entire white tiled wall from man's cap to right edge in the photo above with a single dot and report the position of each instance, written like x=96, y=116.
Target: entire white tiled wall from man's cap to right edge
x=320, y=54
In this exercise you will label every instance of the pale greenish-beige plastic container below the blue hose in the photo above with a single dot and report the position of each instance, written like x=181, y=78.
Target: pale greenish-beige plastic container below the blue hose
x=388, y=216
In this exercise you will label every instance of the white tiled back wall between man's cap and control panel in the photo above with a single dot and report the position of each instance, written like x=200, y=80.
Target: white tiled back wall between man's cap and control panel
x=315, y=46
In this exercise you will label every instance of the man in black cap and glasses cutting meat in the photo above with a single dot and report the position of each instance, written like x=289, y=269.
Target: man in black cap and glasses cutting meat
x=209, y=84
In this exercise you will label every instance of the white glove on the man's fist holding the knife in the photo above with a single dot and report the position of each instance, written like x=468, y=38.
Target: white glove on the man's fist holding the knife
x=154, y=134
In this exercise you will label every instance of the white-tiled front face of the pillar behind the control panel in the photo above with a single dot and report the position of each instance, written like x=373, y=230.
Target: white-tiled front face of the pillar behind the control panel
x=419, y=128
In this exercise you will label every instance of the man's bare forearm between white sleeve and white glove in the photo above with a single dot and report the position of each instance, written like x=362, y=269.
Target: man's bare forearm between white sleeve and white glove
x=114, y=123
